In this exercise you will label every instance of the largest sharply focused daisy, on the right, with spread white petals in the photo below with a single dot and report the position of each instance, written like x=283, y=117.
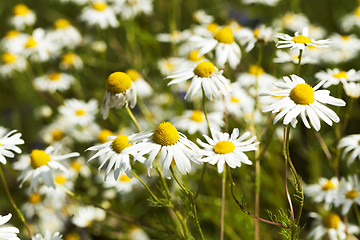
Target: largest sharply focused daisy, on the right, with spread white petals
x=299, y=98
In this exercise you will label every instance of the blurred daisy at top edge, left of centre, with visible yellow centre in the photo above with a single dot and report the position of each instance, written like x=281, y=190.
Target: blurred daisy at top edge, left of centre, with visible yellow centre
x=99, y=13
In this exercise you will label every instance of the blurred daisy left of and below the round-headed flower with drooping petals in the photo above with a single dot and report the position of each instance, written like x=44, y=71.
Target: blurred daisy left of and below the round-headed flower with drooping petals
x=78, y=111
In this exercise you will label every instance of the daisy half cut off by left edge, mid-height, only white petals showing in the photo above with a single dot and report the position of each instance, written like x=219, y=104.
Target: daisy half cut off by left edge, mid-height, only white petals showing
x=8, y=142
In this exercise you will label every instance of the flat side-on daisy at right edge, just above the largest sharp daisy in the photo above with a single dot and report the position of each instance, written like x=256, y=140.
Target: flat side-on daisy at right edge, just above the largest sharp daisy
x=335, y=76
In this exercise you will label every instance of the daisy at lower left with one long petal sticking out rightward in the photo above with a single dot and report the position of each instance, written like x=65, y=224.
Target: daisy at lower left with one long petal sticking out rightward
x=41, y=165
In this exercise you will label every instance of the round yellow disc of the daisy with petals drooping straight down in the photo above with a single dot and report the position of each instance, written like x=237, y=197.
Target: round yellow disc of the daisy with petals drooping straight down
x=118, y=82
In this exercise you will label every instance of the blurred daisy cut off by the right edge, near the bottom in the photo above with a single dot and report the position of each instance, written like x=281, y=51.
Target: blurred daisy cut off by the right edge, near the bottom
x=348, y=194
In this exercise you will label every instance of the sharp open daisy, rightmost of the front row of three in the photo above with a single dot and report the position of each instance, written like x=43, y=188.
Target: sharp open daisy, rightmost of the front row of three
x=224, y=149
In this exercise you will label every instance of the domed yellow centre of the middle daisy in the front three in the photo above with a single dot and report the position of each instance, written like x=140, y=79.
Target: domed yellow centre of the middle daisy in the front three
x=165, y=134
